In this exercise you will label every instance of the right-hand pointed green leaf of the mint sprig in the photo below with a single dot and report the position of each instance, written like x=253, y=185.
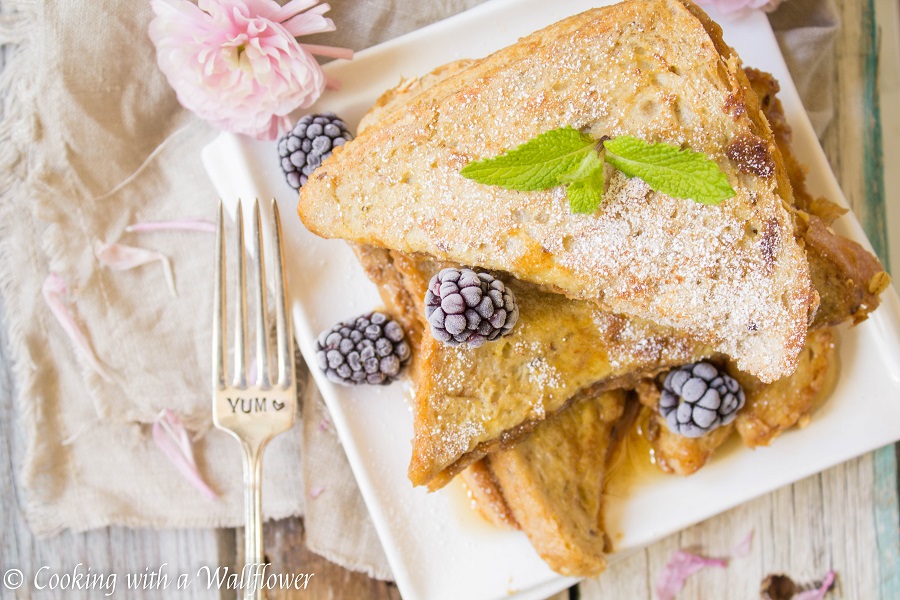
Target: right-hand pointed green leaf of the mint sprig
x=669, y=169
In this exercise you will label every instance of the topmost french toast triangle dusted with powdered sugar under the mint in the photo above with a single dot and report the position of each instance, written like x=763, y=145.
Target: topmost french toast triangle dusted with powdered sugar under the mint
x=732, y=276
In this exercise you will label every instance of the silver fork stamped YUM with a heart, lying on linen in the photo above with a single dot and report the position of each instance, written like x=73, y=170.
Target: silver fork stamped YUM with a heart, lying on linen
x=254, y=412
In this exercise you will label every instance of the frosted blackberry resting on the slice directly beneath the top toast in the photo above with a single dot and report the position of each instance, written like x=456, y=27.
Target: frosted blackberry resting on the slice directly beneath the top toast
x=465, y=307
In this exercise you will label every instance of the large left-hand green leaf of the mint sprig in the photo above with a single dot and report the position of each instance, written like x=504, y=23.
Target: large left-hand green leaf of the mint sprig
x=538, y=164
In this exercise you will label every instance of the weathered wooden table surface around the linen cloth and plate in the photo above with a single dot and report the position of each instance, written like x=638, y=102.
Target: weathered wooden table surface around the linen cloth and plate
x=844, y=519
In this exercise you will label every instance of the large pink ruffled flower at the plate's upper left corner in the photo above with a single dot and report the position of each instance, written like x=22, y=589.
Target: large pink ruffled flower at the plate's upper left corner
x=237, y=64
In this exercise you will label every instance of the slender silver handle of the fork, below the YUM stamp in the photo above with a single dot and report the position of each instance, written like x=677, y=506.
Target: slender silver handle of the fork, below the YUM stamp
x=253, y=546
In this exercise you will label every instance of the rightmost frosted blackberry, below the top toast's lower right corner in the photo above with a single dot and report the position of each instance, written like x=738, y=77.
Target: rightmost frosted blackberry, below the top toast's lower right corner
x=698, y=397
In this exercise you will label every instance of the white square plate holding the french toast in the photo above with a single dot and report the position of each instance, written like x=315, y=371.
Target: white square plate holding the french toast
x=438, y=549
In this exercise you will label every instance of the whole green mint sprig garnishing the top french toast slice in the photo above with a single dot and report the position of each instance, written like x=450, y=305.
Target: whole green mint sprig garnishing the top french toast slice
x=565, y=156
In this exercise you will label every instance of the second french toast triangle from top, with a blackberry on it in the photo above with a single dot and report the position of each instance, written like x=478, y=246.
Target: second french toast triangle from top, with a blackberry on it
x=474, y=401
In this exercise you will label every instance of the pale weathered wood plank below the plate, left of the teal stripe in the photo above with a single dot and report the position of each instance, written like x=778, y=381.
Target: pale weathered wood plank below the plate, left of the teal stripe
x=820, y=523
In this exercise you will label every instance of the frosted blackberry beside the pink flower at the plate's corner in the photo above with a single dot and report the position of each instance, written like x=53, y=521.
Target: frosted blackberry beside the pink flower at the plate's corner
x=303, y=148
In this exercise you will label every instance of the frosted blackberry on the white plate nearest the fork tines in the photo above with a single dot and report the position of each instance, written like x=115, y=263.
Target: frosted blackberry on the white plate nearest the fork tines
x=368, y=349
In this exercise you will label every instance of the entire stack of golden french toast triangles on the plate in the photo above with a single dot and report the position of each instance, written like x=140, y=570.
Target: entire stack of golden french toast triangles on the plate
x=609, y=301
